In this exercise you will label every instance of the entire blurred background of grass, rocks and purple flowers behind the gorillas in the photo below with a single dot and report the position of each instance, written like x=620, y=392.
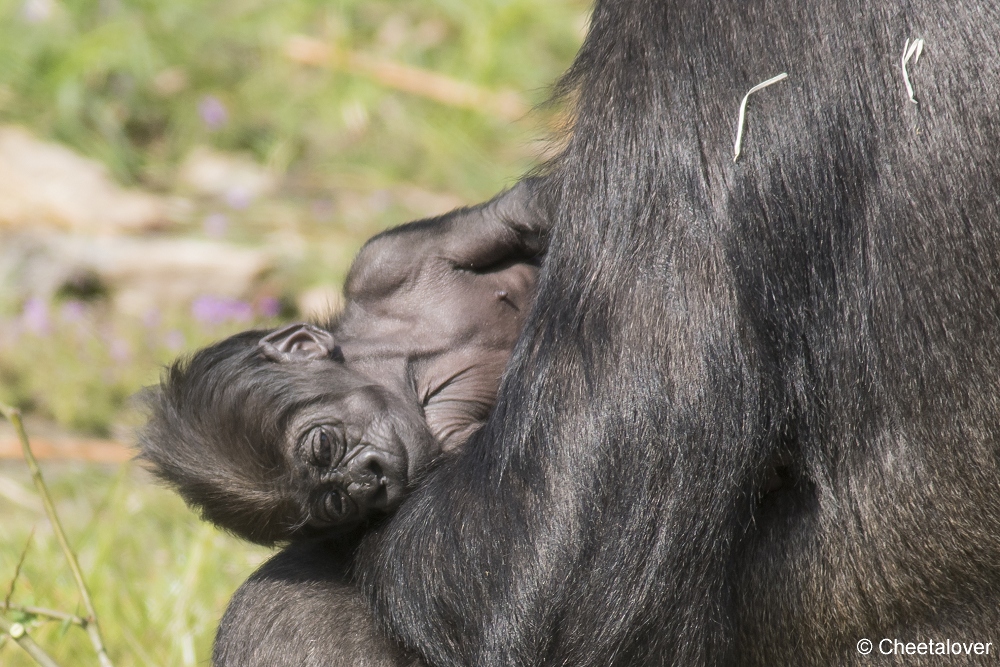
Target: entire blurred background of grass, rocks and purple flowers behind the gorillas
x=174, y=171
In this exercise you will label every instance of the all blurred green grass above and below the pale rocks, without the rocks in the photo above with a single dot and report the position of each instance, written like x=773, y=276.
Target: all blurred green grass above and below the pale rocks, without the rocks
x=126, y=82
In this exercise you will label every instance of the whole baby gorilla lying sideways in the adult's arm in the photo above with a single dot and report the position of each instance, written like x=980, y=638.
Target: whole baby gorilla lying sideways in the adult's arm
x=307, y=430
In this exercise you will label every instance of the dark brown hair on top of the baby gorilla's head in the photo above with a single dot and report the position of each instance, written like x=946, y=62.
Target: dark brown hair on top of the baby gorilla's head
x=197, y=440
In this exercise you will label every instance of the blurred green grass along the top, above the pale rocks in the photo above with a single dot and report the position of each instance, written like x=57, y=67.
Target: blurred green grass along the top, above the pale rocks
x=122, y=80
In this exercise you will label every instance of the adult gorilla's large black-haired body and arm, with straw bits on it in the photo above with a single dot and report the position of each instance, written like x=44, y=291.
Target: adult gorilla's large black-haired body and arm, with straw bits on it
x=753, y=416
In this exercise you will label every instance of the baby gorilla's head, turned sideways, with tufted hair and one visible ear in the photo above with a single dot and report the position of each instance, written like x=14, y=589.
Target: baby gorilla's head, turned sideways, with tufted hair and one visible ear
x=273, y=437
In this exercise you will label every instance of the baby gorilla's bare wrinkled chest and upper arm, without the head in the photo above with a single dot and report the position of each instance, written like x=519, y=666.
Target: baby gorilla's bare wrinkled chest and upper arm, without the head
x=436, y=306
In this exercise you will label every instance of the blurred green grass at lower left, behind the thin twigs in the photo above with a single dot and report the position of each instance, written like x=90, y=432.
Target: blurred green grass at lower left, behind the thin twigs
x=159, y=578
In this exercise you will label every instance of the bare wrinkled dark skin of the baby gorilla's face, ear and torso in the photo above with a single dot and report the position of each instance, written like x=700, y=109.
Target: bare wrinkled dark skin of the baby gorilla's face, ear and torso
x=430, y=321
